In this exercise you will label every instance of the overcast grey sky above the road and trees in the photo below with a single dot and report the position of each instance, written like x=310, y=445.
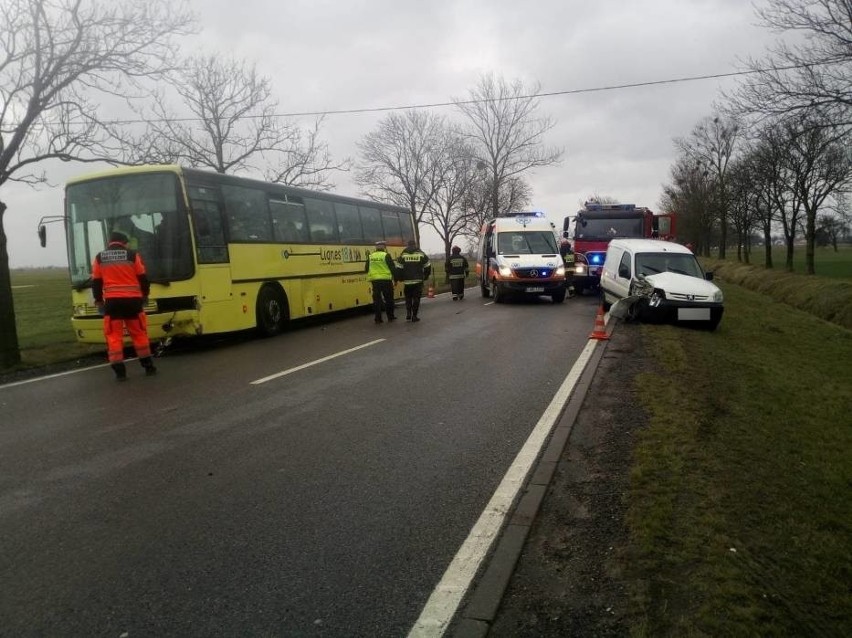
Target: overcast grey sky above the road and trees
x=332, y=55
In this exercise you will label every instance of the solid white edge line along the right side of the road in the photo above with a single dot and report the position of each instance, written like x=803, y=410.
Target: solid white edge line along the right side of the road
x=444, y=601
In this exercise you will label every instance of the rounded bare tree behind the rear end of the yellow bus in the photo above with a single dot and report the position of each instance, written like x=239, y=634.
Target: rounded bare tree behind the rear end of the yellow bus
x=399, y=161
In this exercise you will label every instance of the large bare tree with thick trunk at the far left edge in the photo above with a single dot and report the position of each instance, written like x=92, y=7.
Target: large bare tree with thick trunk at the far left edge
x=57, y=58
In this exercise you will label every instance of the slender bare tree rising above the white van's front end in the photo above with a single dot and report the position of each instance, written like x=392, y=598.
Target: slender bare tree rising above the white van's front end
x=711, y=145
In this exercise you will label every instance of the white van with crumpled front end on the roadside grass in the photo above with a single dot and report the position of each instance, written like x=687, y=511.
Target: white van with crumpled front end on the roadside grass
x=659, y=281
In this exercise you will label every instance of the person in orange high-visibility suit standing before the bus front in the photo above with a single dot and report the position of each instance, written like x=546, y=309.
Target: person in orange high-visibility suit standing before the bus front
x=120, y=285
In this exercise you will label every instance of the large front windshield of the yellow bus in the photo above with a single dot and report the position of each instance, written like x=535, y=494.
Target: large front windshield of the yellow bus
x=146, y=207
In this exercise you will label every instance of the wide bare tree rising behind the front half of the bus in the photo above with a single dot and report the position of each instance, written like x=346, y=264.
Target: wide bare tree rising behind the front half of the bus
x=234, y=127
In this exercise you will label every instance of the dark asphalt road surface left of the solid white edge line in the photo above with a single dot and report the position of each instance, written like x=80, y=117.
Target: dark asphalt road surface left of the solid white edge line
x=224, y=498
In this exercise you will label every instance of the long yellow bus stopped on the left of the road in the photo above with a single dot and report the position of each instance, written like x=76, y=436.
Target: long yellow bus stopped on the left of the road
x=225, y=253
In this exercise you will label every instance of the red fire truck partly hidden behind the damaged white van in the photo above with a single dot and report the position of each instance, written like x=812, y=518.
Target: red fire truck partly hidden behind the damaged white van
x=596, y=224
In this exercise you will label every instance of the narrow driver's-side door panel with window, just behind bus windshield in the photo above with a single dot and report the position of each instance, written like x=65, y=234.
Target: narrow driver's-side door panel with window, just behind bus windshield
x=211, y=248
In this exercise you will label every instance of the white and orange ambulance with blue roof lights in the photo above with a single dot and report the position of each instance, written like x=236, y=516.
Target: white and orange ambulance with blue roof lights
x=518, y=254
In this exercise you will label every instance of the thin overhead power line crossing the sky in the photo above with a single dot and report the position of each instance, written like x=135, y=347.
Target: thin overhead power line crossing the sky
x=614, y=87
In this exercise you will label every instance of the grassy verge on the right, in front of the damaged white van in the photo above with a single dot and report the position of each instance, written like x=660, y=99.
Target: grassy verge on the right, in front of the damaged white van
x=739, y=515
